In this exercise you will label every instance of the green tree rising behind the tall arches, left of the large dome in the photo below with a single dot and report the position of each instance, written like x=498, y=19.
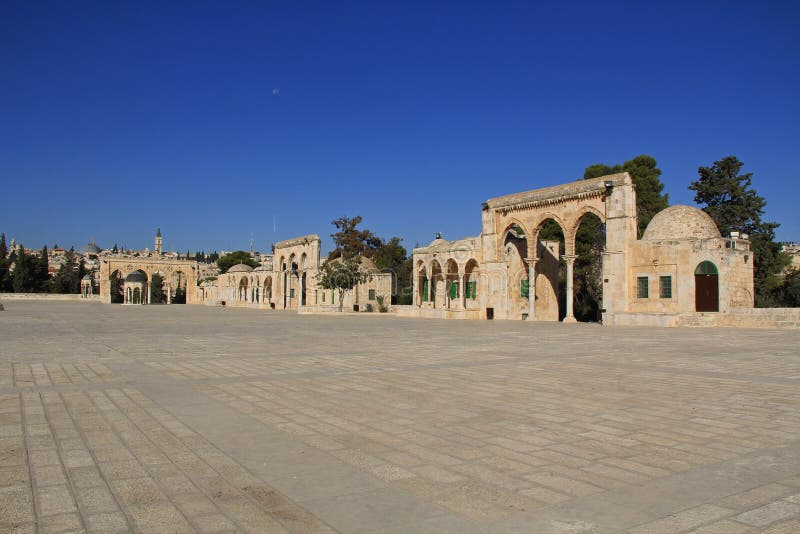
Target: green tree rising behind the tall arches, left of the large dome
x=646, y=176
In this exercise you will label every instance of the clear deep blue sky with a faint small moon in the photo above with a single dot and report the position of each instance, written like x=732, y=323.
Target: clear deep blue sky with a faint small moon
x=223, y=121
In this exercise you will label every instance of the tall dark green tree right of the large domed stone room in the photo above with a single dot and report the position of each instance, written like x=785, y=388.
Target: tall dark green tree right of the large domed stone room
x=728, y=197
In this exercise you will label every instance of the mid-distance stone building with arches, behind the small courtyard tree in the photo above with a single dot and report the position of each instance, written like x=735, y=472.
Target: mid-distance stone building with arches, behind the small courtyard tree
x=288, y=281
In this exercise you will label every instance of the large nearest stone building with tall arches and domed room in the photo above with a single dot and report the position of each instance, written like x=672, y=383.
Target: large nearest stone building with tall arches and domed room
x=680, y=267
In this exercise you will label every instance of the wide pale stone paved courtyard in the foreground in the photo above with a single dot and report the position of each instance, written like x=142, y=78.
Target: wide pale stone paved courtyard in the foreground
x=188, y=418
